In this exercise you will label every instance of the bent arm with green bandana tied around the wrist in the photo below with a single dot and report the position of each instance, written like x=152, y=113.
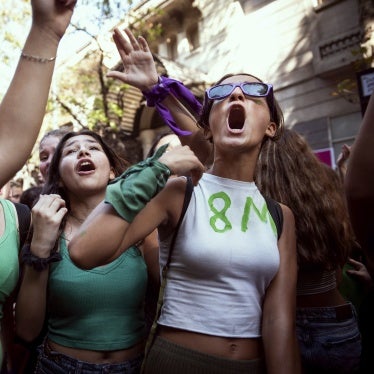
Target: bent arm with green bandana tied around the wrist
x=136, y=204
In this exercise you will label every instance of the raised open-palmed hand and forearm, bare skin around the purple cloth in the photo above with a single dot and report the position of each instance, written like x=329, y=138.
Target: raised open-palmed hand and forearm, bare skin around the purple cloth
x=140, y=71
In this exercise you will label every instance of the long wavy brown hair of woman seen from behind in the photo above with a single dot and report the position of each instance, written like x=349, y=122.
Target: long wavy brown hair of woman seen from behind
x=289, y=172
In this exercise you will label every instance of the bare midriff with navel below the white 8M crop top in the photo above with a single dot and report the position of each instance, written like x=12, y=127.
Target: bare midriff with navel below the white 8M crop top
x=232, y=348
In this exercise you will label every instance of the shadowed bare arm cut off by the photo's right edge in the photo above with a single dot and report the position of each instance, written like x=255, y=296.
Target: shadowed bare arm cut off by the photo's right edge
x=359, y=183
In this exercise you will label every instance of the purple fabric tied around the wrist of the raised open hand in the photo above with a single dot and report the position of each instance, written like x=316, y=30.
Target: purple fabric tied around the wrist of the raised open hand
x=161, y=90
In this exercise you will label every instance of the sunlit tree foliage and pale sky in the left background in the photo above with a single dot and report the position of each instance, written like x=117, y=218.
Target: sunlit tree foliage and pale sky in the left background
x=84, y=96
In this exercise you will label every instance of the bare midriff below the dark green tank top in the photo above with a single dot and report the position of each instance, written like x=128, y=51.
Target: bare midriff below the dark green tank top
x=98, y=357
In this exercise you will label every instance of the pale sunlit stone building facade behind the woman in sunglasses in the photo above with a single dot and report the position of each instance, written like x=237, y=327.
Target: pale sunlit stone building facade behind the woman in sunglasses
x=305, y=48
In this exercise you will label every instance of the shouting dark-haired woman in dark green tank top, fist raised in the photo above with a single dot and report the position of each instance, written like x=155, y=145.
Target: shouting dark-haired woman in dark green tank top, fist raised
x=95, y=319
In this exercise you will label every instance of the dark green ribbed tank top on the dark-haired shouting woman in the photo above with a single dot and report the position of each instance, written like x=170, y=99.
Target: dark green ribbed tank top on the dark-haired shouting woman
x=101, y=309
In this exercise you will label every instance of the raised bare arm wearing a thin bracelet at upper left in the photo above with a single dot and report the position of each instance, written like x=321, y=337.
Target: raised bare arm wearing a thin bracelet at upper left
x=23, y=107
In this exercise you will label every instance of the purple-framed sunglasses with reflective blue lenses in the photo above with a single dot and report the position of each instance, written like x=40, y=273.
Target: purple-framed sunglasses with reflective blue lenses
x=255, y=89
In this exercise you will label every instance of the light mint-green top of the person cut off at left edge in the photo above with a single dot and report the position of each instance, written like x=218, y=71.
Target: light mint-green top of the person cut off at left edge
x=9, y=269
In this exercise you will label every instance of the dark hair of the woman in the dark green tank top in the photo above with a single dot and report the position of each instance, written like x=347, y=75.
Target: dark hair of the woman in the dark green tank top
x=53, y=185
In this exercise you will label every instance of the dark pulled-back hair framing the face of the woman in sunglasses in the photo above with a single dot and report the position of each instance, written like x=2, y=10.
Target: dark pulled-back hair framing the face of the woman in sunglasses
x=276, y=114
